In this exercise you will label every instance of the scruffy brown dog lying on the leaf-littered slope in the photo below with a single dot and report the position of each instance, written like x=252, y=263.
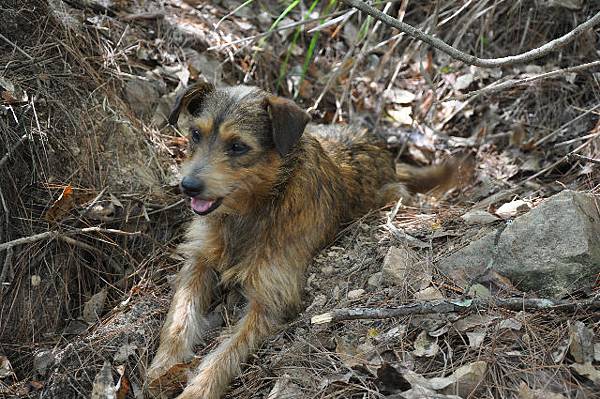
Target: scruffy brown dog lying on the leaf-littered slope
x=268, y=197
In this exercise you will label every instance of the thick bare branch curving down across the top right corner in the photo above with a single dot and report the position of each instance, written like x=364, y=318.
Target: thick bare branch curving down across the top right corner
x=470, y=59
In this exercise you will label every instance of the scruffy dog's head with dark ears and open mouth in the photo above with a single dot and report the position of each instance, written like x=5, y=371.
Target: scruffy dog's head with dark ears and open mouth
x=238, y=139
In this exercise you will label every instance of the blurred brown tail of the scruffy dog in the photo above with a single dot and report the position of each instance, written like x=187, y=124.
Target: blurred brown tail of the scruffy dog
x=435, y=179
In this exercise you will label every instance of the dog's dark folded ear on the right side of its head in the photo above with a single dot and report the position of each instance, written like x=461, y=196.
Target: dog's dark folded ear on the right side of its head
x=288, y=121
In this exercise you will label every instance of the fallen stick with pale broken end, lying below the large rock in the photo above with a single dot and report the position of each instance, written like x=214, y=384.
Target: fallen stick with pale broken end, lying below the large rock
x=448, y=306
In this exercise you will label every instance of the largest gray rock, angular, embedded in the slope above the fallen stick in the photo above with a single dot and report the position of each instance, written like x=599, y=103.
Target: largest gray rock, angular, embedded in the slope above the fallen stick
x=553, y=249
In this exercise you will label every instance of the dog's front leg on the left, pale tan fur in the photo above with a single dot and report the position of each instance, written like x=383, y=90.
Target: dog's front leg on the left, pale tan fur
x=186, y=320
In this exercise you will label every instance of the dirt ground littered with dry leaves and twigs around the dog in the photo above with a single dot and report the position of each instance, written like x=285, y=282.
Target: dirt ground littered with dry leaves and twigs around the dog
x=85, y=88
